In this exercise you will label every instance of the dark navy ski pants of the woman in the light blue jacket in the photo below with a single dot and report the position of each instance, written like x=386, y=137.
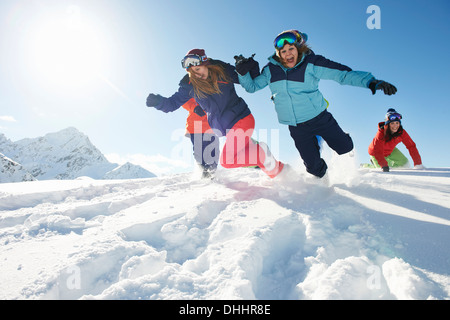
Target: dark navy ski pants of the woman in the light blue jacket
x=304, y=135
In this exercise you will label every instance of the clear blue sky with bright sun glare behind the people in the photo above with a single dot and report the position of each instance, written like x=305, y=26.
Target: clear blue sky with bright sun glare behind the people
x=90, y=64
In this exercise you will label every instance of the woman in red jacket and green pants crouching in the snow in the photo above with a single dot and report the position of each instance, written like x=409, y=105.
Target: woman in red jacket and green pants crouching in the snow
x=383, y=151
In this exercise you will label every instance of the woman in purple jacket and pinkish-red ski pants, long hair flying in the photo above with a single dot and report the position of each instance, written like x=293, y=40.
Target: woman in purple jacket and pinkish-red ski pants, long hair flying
x=211, y=83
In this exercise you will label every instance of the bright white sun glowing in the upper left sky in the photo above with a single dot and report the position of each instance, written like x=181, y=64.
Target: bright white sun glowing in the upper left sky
x=66, y=49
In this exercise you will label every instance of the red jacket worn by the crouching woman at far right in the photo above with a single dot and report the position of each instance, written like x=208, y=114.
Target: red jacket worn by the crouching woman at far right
x=379, y=148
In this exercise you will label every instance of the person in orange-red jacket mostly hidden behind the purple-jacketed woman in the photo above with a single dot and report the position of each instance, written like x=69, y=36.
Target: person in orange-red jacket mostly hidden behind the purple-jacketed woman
x=205, y=142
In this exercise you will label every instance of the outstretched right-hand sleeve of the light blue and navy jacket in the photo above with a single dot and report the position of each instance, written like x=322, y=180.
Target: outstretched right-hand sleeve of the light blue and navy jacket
x=326, y=69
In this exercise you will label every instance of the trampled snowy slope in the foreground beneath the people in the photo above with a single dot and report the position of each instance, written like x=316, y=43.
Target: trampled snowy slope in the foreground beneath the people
x=243, y=236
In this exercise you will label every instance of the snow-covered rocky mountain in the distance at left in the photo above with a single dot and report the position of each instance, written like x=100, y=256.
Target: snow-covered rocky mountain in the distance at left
x=64, y=155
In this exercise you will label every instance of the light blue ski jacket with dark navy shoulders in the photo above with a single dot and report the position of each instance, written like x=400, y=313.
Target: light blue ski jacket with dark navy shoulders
x=295, y=91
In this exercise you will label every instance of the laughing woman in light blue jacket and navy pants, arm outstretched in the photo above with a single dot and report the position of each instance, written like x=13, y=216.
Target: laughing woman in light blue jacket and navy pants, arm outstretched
x=293, y=74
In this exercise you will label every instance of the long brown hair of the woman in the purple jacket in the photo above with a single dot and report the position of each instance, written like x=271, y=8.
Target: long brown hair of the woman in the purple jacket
x=210, y=86
